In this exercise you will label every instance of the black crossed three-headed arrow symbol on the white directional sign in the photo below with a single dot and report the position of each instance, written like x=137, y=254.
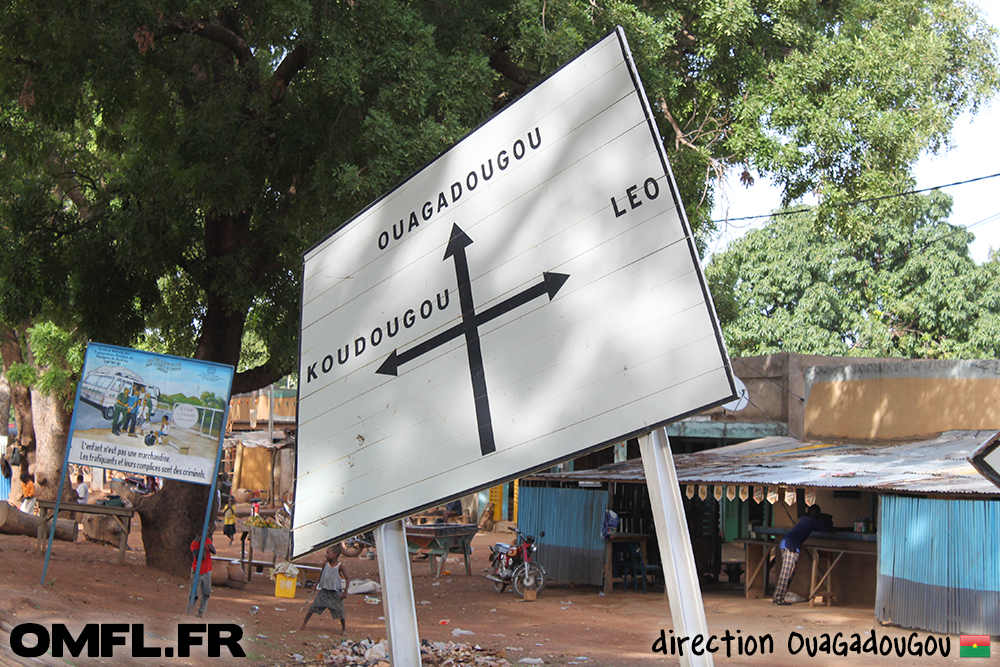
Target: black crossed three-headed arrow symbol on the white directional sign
x=469, y=326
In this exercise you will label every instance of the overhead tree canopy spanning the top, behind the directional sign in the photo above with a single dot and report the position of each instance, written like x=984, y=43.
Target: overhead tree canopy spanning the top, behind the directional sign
x=163, y=164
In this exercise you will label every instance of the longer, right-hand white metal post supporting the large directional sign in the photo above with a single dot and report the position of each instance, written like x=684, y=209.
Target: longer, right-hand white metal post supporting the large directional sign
x=687, y=610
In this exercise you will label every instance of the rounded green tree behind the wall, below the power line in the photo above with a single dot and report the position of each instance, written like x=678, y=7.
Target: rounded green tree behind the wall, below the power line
x=910, y=289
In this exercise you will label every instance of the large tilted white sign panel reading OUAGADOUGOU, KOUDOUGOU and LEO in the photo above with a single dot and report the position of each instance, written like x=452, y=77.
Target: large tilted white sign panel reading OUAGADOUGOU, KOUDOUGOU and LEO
x=532, y=294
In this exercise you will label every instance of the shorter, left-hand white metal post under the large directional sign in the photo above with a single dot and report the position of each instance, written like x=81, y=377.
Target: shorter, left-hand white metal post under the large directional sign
x=397, y=595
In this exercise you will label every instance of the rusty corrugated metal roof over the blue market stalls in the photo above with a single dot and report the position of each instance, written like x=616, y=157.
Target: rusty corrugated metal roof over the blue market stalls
x=939, y=465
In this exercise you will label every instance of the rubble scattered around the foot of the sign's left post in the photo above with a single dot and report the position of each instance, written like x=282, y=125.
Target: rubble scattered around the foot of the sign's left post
x=368, y=653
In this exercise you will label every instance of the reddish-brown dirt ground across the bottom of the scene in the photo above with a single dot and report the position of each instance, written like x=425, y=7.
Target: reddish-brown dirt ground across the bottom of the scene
x=565, y=625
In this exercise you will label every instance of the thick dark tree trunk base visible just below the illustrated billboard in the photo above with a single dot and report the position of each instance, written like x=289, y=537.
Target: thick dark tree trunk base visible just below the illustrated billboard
x=171, y=518
